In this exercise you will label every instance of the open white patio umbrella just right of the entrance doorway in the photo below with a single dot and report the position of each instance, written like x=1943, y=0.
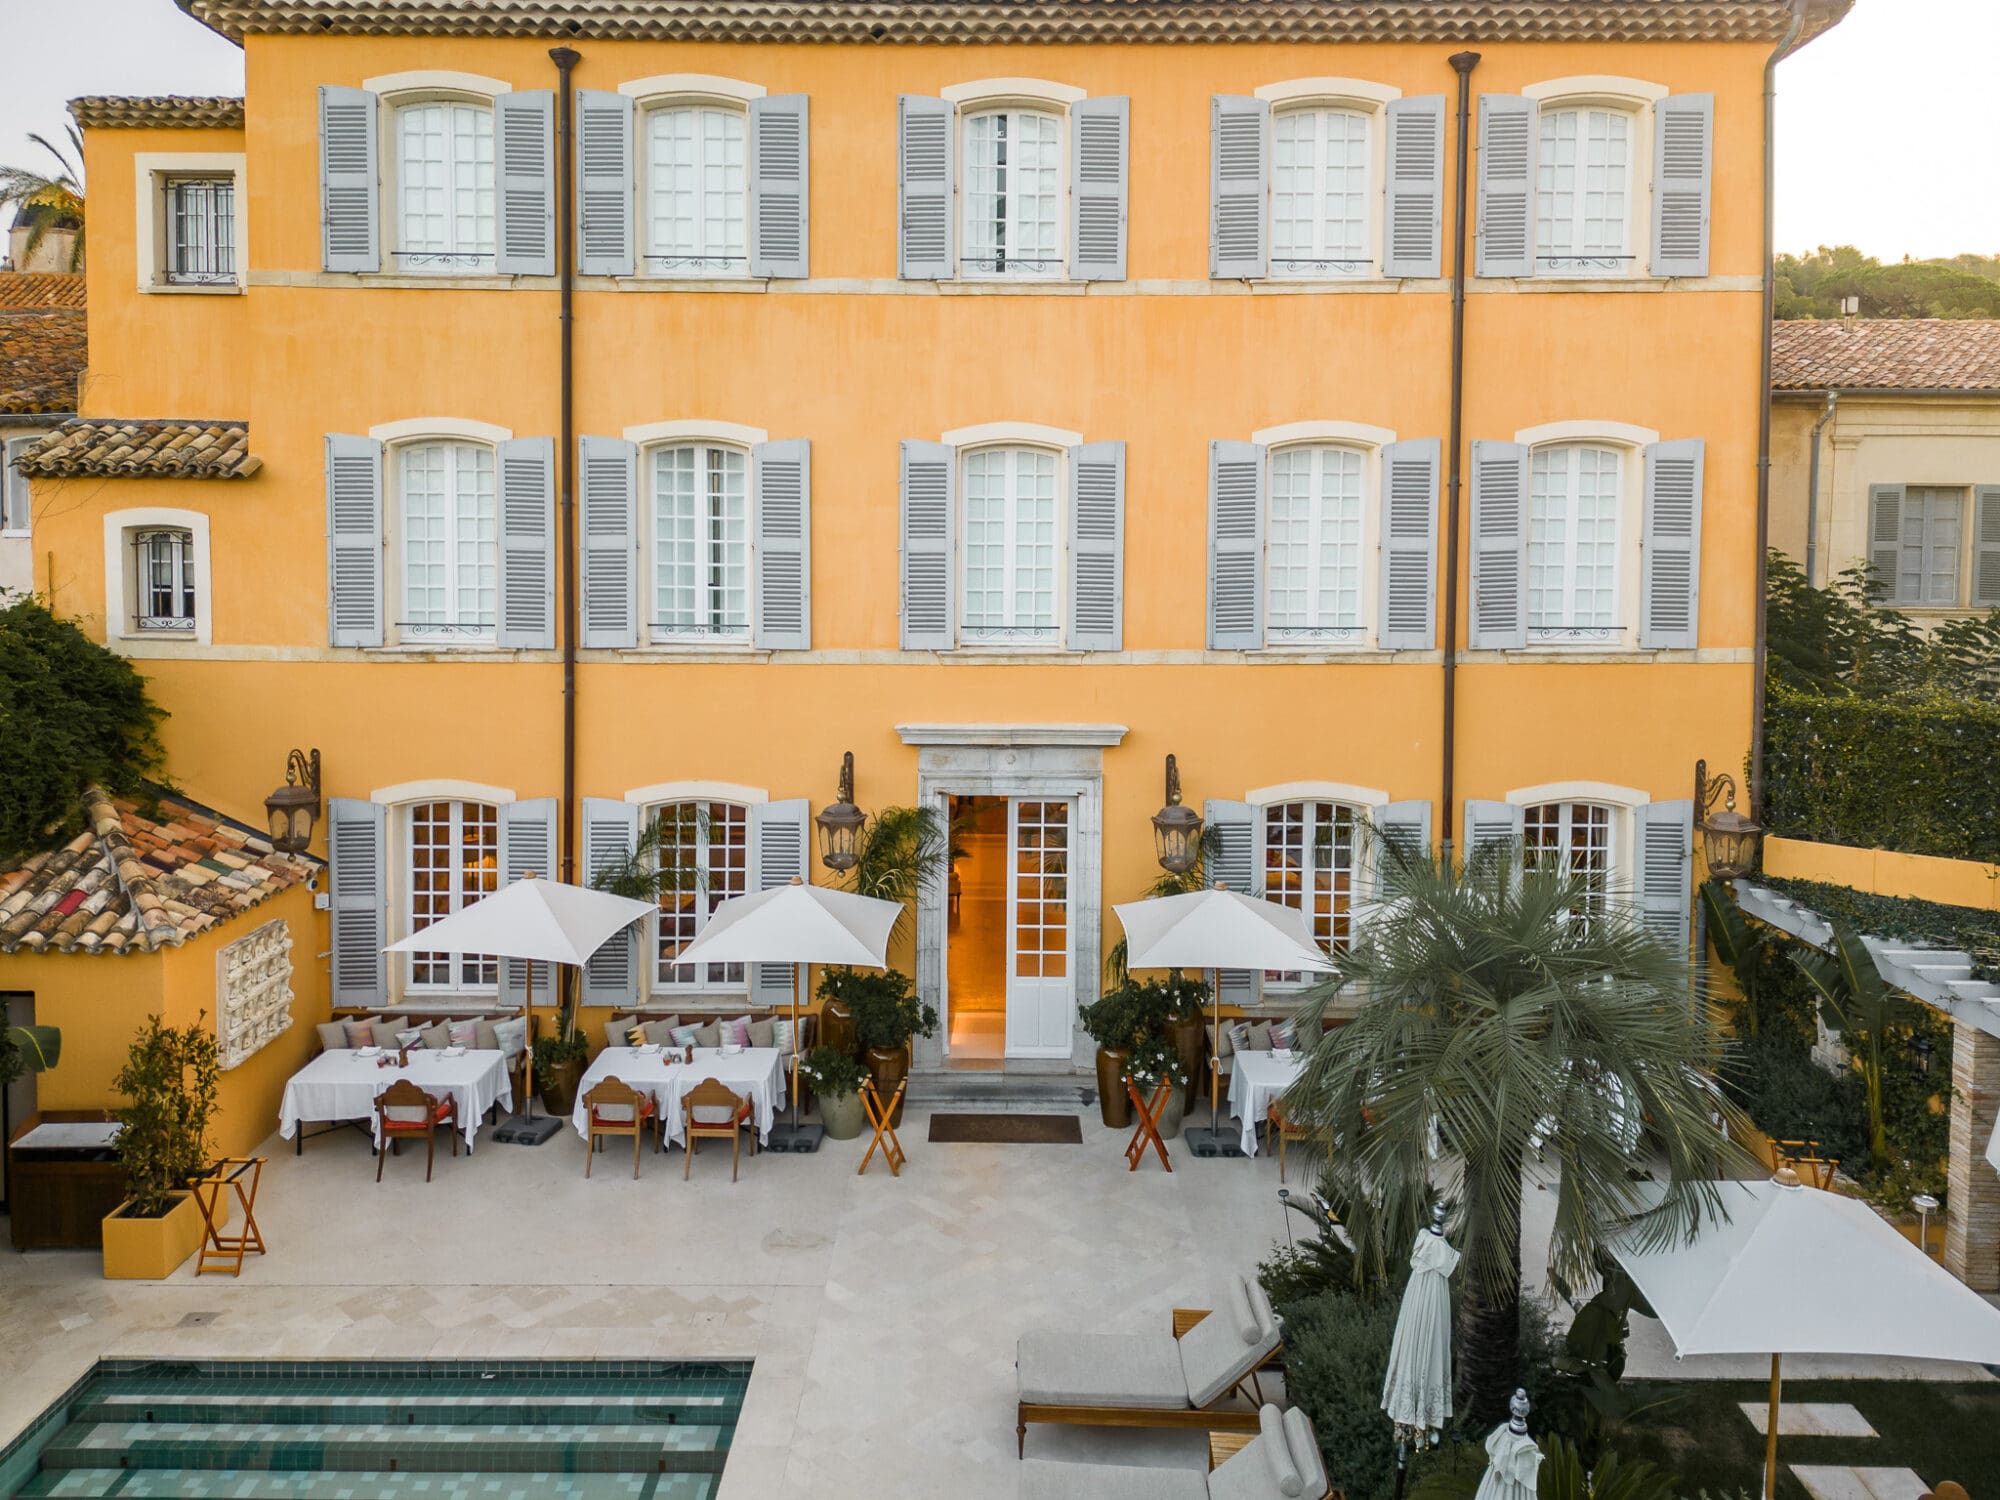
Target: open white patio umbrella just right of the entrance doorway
x=1219, y=929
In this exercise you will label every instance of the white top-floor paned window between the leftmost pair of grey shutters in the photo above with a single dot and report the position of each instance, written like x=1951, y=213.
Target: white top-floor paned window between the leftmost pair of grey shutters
x=445, y=179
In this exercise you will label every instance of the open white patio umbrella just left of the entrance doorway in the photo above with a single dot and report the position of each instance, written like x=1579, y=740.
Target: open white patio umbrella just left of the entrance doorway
x=797, y=925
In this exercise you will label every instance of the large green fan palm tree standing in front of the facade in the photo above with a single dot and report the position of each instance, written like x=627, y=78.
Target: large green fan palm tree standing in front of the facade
x=1513, y=1021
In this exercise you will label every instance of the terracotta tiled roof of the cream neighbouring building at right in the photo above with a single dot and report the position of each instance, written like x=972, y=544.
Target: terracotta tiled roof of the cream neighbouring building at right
x=1887, y=355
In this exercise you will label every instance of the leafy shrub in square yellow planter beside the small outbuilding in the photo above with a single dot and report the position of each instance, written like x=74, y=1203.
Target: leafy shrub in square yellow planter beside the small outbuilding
x=171, y=1095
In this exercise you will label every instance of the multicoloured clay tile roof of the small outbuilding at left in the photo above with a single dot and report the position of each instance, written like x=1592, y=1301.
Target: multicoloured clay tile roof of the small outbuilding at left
x=97, y=895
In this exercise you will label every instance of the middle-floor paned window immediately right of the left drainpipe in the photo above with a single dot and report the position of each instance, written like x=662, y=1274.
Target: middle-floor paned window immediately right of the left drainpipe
x=701, y=543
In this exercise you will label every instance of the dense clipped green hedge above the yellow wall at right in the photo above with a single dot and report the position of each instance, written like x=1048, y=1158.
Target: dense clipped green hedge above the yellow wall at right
x=1909, y=775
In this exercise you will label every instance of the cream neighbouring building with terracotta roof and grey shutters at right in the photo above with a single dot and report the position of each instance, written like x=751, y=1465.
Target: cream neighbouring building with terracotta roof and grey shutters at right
x=1905, y=421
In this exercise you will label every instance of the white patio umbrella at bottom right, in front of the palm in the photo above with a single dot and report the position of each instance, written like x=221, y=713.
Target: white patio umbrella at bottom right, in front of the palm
x=1799, y=1271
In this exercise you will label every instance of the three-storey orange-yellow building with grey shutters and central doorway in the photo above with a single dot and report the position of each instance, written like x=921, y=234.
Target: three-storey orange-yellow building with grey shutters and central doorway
x=1011, y=401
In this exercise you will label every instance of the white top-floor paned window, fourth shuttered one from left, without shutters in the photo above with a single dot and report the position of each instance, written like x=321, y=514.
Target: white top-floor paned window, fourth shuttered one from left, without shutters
x=1319, y=193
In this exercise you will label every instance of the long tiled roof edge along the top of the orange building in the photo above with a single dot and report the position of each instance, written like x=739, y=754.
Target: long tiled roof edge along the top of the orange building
x=1033, y=21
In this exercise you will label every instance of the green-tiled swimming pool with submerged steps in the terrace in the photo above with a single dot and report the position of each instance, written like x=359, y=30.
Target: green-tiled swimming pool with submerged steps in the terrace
x=385, y=1431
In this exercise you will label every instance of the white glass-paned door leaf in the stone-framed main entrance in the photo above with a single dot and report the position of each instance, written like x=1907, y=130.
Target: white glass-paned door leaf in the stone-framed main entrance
x=1041, y=999
